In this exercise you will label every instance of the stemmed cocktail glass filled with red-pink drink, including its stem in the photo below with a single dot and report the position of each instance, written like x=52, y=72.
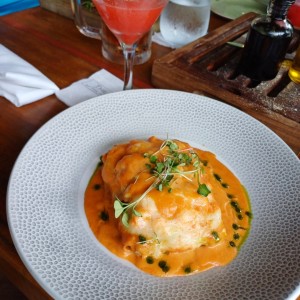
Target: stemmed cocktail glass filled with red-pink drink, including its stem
x=129, y=20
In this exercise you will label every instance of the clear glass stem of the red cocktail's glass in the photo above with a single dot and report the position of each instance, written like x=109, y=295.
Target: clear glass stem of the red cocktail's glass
x=129, y=54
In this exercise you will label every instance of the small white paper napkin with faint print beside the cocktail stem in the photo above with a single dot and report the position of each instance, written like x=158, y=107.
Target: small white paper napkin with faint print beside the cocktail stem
x=100, y=83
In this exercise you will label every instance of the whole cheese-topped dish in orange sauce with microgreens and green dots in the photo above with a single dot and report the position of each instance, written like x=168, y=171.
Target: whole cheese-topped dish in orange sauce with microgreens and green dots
x=166, y=207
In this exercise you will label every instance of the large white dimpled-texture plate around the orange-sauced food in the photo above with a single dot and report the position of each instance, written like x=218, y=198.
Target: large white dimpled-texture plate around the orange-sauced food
x=45, y=199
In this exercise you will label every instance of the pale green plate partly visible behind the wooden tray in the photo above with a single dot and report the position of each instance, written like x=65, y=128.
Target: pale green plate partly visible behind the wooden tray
x=232, y=9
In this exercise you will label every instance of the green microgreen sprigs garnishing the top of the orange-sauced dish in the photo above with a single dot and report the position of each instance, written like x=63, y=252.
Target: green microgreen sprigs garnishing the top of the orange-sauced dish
x=164, y=166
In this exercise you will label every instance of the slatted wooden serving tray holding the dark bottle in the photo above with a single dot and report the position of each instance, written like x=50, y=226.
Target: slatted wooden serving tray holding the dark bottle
x=208, y=66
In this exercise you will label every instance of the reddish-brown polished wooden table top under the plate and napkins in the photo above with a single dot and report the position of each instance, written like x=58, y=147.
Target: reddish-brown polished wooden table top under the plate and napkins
x=52, y=44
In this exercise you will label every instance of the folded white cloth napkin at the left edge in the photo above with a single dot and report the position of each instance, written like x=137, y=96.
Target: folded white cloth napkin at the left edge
x=20, y=82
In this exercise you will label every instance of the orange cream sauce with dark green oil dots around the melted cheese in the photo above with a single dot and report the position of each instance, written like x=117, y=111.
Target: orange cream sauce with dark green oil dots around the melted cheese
x=123, y=174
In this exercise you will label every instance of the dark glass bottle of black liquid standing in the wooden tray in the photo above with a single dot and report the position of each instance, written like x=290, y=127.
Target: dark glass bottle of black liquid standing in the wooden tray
x=267, y=42
